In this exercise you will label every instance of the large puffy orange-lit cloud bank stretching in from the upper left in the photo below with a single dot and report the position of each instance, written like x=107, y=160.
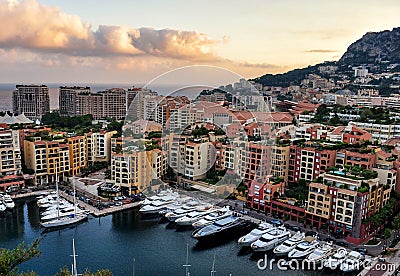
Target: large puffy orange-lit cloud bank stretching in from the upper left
x=32, y=26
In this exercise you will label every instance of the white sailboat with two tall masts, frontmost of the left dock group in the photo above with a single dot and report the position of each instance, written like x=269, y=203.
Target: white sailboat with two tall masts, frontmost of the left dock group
x=65, y=220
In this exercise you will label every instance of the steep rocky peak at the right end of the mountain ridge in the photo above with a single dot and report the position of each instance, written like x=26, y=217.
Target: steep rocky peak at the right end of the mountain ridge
x=373, y=48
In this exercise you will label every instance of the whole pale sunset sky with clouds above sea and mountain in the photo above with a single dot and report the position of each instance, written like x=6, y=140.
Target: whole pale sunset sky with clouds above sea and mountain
x=125, y=41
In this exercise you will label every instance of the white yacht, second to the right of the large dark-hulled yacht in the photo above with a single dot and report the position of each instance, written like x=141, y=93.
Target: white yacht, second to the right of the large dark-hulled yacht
x=271, y=238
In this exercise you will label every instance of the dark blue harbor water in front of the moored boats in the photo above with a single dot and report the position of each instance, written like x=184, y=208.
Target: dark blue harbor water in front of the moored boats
x=122, y=242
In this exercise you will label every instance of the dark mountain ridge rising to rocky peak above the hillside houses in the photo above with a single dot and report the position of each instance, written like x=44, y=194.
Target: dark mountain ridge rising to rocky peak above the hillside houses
x=372, y=48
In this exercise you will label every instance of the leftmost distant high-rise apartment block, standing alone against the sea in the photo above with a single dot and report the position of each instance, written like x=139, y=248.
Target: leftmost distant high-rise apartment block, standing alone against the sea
x=31, y=100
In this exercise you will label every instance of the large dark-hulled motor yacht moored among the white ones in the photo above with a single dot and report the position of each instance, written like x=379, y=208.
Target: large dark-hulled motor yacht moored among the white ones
x=219, y=228
